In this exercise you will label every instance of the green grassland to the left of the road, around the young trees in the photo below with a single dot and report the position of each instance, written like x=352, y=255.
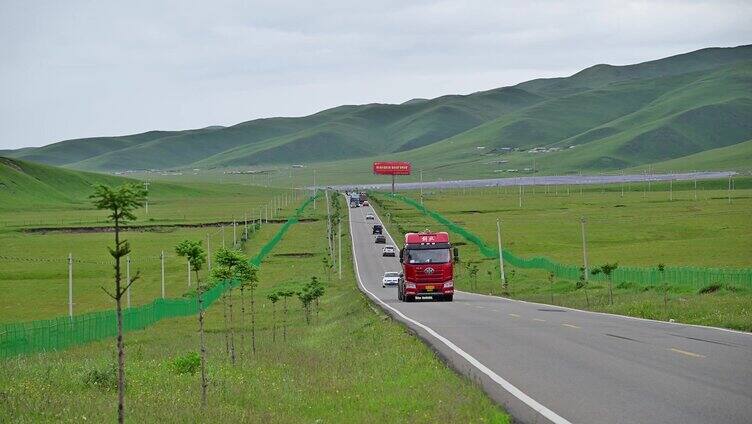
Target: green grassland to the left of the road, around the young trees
x=351, y=364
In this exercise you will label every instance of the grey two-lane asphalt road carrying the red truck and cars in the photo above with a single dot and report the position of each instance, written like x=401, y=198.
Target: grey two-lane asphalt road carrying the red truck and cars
x=551, y=364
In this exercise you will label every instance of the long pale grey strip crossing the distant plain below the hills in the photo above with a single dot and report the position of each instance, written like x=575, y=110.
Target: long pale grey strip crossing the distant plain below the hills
x=540, y=180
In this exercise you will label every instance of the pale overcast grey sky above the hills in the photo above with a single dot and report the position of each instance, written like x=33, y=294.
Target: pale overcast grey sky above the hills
x=72, y=69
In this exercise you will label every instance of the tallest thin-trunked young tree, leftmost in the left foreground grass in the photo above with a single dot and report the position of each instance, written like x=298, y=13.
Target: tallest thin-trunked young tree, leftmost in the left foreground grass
x=121, y=202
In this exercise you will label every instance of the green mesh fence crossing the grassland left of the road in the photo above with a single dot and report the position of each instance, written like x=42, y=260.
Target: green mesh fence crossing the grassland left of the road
x=60, y=333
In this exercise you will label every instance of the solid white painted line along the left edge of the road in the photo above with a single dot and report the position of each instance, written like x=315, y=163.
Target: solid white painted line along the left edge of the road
x=509, y=387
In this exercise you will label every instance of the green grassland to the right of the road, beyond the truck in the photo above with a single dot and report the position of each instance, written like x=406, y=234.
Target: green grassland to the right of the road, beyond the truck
x=642, y=228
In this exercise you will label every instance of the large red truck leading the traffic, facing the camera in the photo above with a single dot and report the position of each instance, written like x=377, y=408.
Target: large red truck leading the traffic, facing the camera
x=427, y=267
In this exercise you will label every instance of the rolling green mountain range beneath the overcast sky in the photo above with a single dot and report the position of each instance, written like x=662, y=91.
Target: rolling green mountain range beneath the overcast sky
x=602, y=118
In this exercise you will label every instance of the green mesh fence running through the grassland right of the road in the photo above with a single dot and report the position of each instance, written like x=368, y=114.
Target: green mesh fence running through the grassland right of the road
x=639, y=275
